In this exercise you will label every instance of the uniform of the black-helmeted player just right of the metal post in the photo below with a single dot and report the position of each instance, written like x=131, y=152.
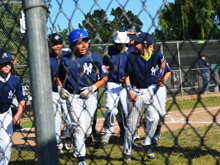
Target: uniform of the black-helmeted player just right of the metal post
x=59, y=104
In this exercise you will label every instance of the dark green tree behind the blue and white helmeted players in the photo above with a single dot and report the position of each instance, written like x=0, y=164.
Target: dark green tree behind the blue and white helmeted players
x=100, y=29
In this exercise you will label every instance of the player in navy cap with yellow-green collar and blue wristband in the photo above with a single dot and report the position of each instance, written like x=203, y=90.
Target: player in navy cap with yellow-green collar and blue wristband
x=140, y=72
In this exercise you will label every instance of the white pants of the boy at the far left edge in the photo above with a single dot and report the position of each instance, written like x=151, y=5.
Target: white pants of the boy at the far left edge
x=6, y=130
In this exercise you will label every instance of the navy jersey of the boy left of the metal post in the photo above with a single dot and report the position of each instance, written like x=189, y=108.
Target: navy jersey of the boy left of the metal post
x=8, y=88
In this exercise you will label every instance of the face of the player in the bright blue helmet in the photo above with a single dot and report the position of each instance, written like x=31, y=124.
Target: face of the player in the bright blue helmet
x=82, y=47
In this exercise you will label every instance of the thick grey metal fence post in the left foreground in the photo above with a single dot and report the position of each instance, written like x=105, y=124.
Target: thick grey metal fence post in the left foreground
x=38, y=56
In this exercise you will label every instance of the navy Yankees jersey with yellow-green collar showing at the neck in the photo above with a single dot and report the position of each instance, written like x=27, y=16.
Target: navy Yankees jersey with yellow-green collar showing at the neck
x=143, y=72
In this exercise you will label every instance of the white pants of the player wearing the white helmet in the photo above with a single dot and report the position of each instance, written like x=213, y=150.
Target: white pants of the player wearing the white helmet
x=114, y=92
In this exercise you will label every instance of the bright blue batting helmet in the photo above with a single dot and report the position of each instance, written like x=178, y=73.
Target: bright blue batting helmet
x=75, y=35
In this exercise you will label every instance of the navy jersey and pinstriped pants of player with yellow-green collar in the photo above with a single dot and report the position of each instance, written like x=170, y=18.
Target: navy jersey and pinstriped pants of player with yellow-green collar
x=142, y=73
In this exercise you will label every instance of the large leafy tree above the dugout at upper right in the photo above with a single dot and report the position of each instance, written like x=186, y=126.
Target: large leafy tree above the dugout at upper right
x=187, y=19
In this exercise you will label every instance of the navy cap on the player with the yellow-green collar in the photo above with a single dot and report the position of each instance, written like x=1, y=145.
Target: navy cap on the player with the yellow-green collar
x=143, y=37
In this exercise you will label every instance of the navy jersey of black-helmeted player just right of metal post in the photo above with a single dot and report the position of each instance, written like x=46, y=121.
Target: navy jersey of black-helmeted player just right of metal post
x=54, y=69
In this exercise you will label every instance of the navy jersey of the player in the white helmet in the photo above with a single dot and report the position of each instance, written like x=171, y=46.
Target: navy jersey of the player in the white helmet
x=116, y=61
